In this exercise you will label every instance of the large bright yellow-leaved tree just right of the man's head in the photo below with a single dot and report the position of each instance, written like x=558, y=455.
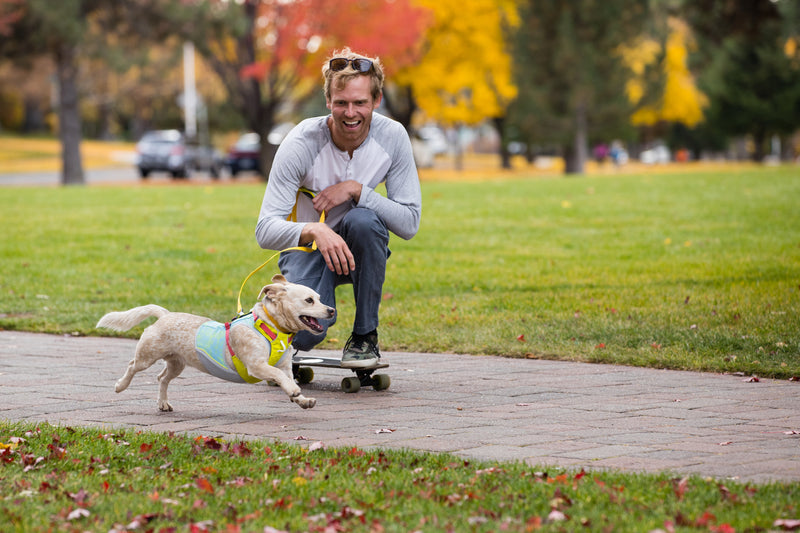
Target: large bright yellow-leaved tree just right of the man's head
x=464, y=74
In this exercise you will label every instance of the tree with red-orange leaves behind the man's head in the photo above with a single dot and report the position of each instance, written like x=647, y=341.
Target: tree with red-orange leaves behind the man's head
x=268, y=53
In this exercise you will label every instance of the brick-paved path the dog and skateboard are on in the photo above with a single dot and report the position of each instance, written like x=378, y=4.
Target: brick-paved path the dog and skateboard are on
x=545, y=413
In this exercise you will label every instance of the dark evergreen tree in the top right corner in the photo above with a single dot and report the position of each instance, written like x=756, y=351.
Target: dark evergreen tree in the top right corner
x=751, y=66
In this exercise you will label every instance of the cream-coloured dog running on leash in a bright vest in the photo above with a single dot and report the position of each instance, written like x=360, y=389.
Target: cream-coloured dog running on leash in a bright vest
x=252, y=348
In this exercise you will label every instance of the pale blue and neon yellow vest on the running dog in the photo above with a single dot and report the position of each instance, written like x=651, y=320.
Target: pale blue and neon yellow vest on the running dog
x=213, y=338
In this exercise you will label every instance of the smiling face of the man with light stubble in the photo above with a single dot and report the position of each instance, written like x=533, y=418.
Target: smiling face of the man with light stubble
x=351, y=113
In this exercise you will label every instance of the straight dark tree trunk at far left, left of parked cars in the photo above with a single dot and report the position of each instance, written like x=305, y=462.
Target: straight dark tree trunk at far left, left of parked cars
x=69, y=118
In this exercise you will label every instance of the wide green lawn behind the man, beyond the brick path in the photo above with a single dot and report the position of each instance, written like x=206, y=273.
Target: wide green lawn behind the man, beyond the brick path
x=691, y=270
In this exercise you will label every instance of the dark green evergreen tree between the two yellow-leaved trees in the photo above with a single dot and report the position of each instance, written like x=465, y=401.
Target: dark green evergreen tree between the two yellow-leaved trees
x=571, y=74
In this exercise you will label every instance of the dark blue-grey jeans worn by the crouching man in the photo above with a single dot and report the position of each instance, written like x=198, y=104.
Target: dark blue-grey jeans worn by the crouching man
x=368, y=239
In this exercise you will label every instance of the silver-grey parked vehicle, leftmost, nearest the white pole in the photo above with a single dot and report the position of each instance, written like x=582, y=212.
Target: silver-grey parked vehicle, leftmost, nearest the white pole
x=169, y=151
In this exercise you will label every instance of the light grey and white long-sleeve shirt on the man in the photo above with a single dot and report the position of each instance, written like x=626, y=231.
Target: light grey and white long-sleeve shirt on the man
x=308, y=158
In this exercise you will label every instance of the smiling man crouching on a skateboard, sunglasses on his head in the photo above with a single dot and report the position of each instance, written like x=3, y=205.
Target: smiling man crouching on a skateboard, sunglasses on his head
x=331, y=165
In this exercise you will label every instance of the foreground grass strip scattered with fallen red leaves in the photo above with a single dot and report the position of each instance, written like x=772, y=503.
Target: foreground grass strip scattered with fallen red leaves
x=81, y=479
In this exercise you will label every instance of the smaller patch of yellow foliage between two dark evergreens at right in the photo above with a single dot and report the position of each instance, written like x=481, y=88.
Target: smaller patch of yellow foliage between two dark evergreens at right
x=681, y=100
